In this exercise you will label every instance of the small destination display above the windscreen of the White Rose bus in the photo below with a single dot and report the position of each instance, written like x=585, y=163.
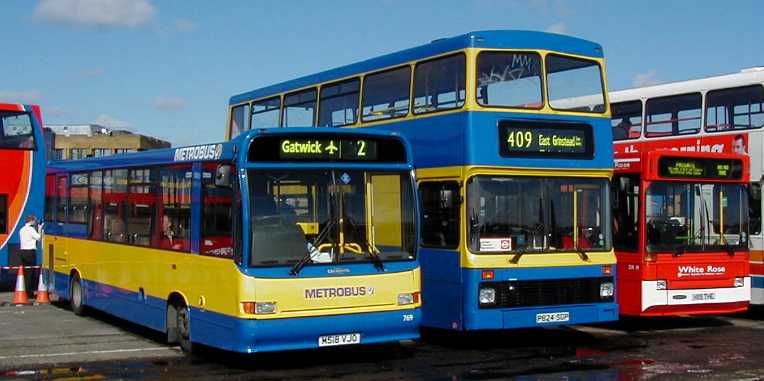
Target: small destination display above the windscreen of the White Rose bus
x=687, y=167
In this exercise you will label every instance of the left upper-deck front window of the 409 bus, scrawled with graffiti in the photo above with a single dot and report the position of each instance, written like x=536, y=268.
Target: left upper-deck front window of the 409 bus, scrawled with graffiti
x=509, y=79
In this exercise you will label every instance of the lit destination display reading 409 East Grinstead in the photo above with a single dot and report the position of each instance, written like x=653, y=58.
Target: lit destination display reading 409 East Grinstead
x=534, y=138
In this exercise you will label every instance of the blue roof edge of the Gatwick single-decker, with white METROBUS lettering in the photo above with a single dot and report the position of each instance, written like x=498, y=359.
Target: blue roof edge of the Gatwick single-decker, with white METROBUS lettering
x=225, y=151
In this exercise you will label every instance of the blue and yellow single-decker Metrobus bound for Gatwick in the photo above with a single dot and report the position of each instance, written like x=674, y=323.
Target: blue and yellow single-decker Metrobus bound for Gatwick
x=276, y=240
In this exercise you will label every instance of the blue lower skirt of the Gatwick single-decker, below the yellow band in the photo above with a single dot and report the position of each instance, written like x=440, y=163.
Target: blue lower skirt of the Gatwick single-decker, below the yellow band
x=248, y=335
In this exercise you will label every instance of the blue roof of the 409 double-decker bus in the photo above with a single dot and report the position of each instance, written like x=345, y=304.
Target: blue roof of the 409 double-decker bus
x=496, y=39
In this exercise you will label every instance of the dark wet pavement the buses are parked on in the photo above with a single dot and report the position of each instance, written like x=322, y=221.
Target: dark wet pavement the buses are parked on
x=101, y=347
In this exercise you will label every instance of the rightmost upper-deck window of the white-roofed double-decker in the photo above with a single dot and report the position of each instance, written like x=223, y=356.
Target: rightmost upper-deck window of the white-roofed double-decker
x=741, y=108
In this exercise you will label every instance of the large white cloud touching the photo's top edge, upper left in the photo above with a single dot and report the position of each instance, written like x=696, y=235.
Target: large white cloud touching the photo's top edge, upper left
x=116, y=13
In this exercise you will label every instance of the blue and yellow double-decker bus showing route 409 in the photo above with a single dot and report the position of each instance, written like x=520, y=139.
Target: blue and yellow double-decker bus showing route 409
x=513, y=153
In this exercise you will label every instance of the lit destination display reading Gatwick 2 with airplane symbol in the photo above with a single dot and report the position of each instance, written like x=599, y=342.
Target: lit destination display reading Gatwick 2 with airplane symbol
x=328, y=149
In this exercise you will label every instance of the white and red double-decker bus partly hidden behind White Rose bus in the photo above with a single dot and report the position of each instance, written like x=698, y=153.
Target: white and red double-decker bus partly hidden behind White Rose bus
x=719, y=114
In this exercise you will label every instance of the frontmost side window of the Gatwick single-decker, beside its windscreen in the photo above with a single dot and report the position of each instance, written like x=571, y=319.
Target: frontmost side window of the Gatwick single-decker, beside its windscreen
x=217, y=219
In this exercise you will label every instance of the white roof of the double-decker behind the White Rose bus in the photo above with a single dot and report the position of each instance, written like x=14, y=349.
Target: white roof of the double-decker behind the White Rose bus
x=743, y=77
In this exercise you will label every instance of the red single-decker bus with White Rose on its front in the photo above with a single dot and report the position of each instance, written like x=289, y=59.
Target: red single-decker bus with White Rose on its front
x=680, y=230
